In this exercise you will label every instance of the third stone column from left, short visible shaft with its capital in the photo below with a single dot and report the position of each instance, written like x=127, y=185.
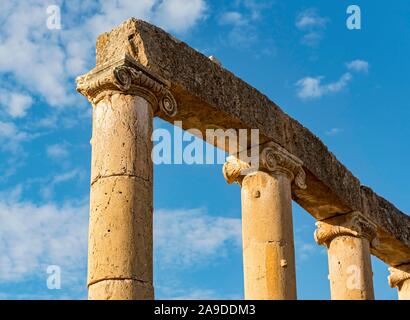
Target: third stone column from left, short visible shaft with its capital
x=347, y=238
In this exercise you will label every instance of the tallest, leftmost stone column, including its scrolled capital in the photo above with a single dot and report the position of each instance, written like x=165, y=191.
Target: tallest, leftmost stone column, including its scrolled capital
x=125, y=97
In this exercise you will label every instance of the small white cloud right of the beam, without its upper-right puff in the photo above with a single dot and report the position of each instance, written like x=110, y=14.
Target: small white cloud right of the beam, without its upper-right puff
x=310, y=87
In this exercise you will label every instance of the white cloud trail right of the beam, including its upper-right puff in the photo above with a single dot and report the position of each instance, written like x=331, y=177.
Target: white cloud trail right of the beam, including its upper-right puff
x=313, y=87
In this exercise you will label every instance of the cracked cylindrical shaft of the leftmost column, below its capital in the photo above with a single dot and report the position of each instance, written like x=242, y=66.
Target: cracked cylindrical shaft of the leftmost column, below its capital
x=120, y=231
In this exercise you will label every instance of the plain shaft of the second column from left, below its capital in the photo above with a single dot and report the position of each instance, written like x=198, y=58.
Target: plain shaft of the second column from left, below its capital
x=268, y=249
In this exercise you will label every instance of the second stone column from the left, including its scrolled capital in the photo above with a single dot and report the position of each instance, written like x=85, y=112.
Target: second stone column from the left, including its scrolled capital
x=268, y=245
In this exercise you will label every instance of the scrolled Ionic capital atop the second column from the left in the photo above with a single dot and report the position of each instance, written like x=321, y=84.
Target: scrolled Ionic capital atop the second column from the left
x=272, y=158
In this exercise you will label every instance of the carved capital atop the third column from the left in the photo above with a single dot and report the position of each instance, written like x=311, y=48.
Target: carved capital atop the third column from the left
x=352, y=224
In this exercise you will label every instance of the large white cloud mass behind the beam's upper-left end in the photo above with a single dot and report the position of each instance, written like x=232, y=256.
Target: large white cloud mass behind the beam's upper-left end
x=43, y=61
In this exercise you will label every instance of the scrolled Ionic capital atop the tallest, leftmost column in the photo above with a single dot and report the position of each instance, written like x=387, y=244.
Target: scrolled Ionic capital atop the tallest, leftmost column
x=127, y=76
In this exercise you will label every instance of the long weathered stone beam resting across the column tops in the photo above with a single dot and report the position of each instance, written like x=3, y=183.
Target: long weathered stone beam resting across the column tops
x=209, y=96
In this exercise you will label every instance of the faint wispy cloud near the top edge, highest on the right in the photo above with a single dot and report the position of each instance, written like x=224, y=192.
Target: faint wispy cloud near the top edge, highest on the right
x=312, y=25
